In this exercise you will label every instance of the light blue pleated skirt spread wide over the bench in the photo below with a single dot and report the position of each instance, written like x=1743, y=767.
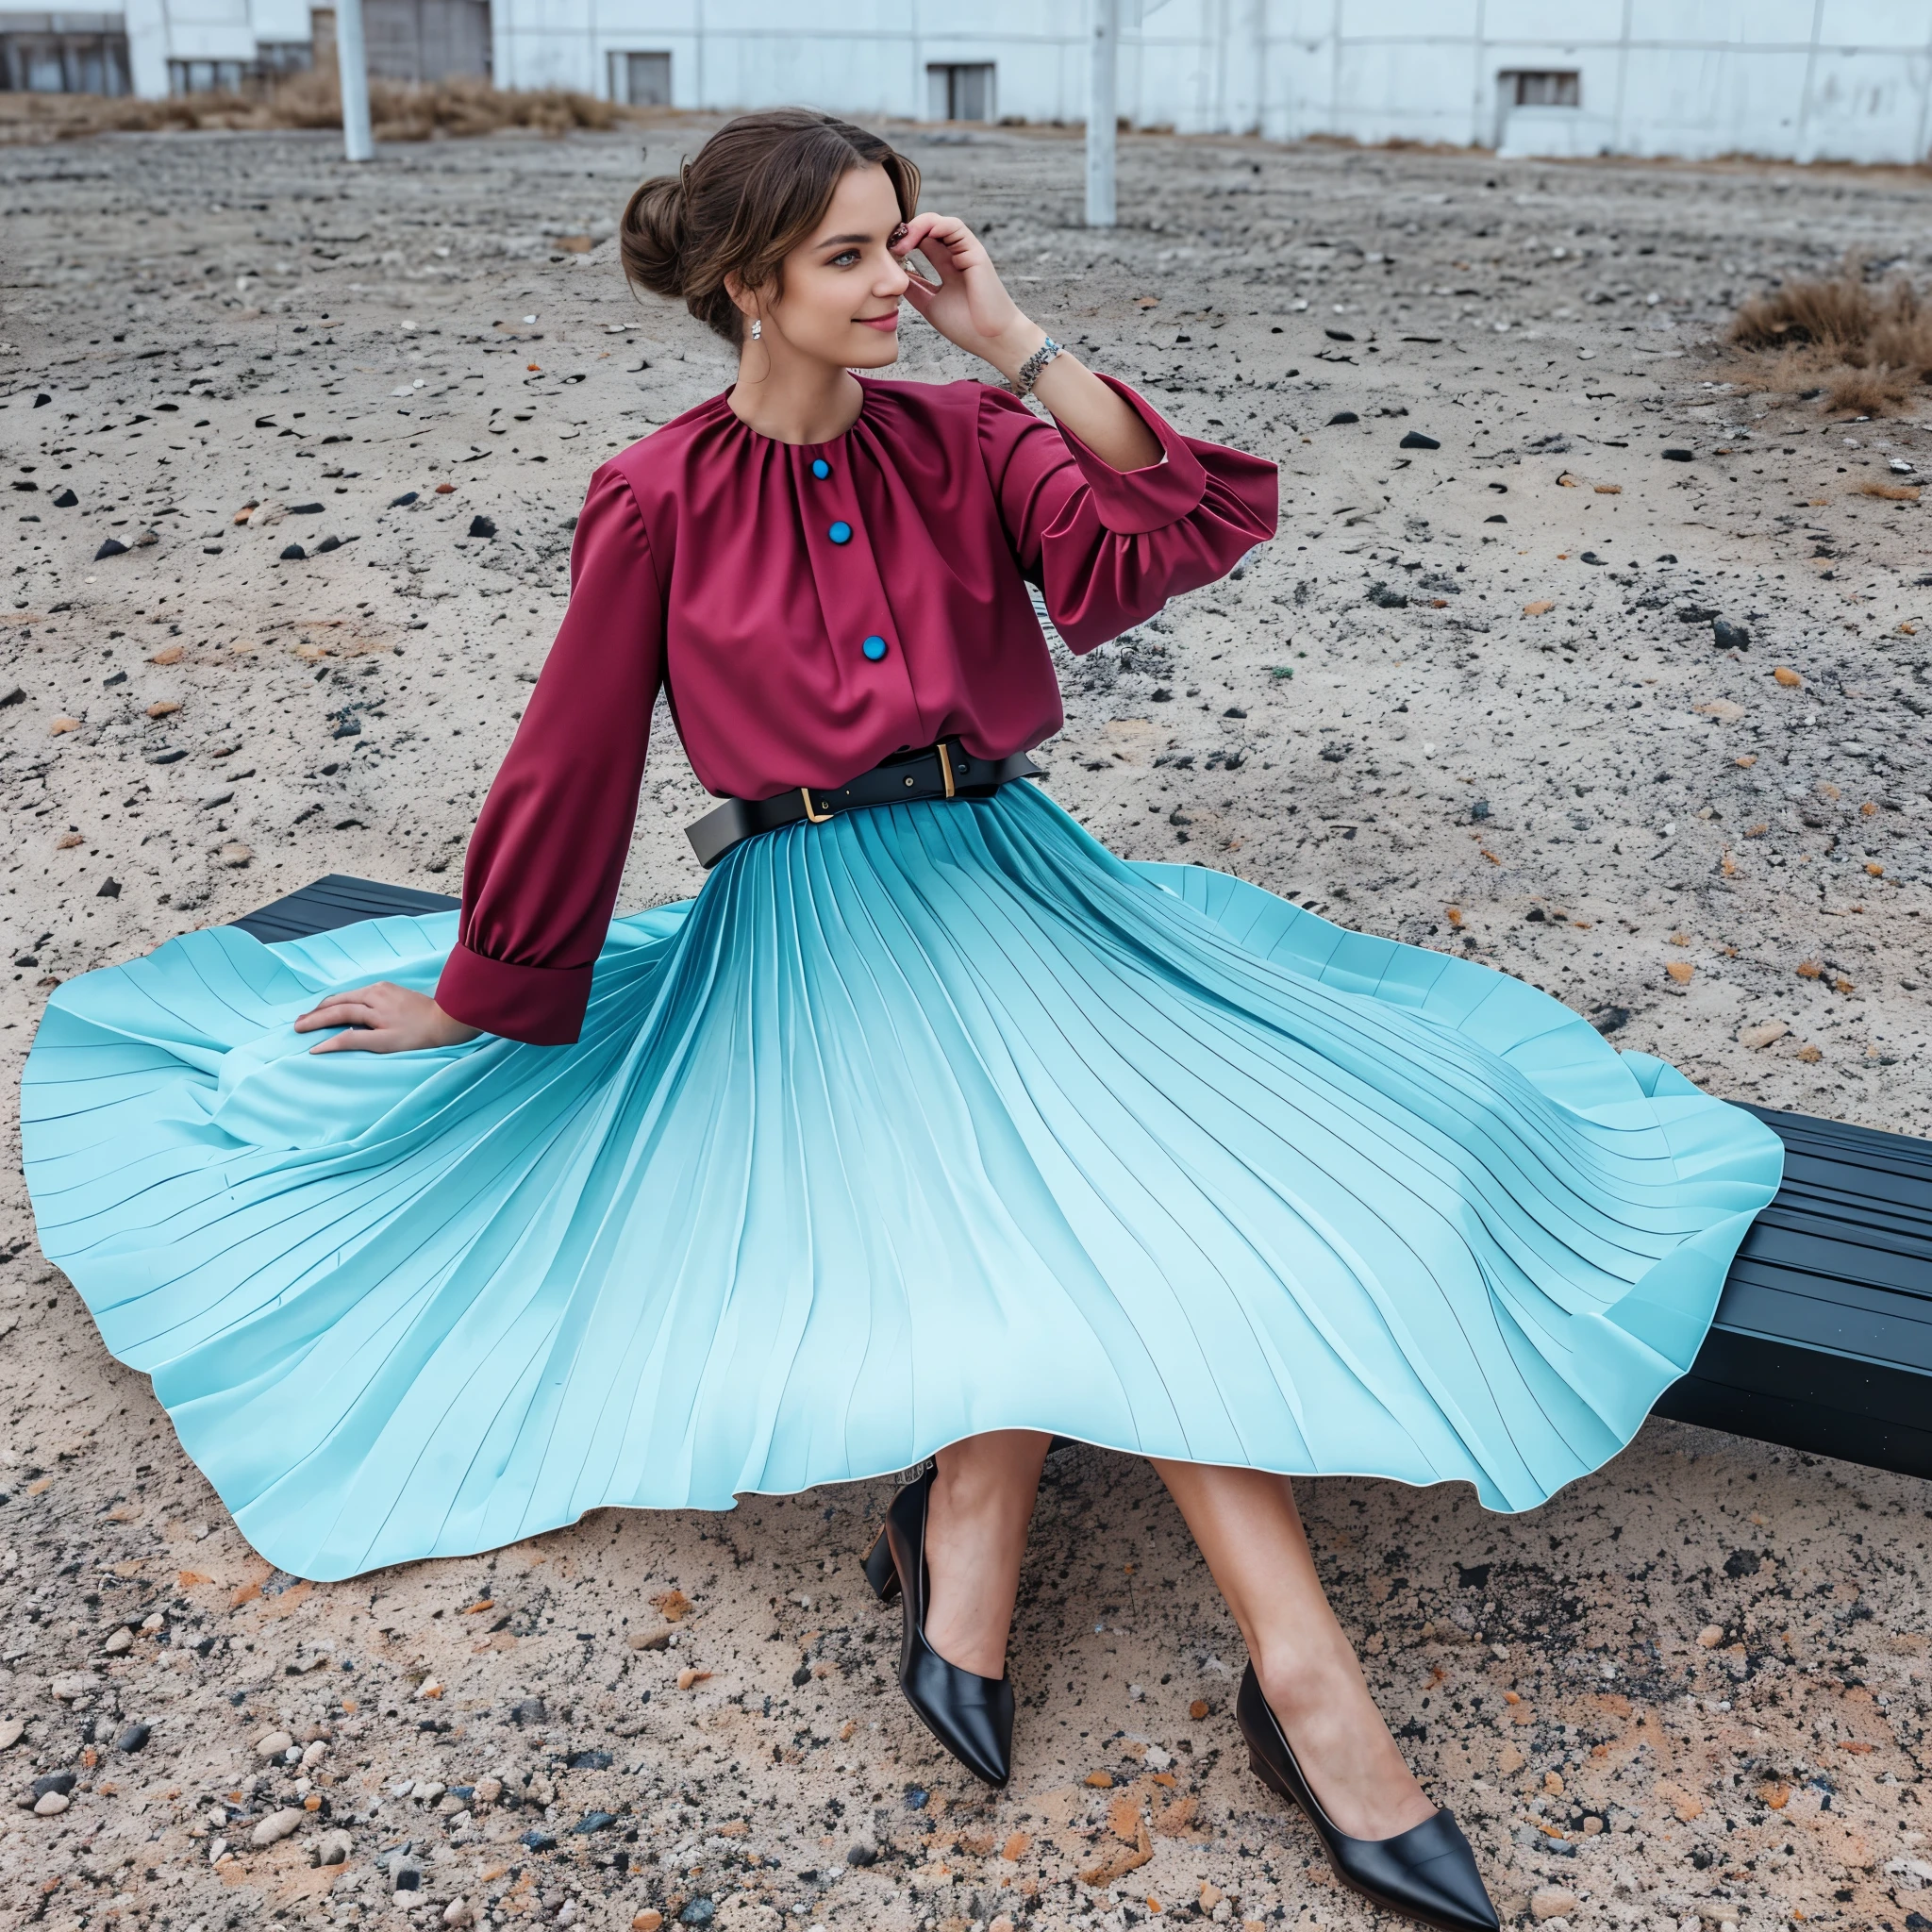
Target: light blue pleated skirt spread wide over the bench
x=932, y=1120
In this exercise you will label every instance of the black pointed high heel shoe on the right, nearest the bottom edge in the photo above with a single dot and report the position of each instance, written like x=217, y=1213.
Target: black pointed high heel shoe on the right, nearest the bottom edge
x=1427, y=1873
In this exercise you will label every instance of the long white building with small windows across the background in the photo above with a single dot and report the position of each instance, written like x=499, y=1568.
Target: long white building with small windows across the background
x=1809, y=80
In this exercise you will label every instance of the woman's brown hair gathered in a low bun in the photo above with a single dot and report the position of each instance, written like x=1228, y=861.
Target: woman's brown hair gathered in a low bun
x=754, y=192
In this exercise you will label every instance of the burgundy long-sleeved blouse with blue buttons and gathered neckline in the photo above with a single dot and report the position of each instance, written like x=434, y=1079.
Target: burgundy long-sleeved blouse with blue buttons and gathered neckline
x=812, y=608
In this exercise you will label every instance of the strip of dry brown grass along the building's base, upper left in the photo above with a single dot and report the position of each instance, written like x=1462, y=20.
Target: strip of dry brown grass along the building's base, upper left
x=401, y=113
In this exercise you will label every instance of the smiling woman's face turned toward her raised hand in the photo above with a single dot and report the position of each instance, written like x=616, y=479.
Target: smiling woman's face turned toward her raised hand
x=843, y=283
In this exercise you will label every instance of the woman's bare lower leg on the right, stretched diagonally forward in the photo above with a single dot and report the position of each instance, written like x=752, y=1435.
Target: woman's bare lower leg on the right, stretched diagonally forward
x=1251, y=1535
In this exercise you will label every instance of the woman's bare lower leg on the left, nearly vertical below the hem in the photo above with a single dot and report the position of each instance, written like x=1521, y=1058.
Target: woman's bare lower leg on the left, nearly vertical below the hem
x=975, y=1541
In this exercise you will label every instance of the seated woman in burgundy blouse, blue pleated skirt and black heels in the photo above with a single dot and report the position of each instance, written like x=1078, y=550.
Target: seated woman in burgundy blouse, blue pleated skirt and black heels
x=928, y=1127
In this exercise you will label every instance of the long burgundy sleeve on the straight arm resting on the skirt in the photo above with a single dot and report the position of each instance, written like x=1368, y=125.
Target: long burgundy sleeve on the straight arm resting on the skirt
x=550, y=847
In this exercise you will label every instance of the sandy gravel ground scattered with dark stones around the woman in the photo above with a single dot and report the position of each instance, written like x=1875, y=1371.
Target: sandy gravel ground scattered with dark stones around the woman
x=1467, y=698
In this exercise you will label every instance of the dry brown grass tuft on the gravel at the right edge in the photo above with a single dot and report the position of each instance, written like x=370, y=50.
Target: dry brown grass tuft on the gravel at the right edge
x=1867, y=349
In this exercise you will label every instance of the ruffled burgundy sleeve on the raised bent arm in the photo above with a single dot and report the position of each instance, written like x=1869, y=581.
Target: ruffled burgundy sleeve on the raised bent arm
x=1108, y=548
